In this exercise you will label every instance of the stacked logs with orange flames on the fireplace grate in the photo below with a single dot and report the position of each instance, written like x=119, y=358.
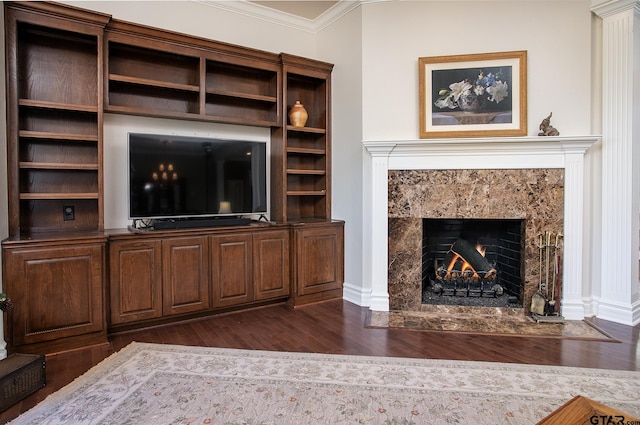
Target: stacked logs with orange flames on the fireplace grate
x=466, y=272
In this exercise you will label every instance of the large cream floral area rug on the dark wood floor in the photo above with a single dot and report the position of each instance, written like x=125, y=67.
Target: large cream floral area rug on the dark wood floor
x=168, y=384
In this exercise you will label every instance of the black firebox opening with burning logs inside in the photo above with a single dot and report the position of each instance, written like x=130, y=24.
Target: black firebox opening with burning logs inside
x=473, y=262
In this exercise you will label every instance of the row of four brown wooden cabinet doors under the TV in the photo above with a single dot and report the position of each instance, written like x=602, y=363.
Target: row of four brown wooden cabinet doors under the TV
x=189, y=273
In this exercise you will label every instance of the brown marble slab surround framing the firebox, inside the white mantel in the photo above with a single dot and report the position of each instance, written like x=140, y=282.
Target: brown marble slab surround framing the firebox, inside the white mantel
x=531, y=200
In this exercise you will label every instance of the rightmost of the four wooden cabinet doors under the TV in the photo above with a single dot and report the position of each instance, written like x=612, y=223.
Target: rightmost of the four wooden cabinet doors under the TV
x=271, y=264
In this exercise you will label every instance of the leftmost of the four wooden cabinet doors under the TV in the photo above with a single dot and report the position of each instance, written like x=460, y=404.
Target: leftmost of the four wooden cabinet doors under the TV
x=135, y=281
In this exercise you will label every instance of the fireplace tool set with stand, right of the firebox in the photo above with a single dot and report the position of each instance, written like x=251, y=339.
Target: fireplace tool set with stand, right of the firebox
x=545, y=302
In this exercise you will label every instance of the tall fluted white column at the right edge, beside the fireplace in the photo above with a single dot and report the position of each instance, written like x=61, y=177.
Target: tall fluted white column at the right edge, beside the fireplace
x=619, y=301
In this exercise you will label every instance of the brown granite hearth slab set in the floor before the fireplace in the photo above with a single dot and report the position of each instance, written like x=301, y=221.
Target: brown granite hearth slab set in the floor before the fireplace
x=485, y=321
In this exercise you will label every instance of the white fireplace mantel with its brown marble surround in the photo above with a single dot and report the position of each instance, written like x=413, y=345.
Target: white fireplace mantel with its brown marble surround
x=410, y=180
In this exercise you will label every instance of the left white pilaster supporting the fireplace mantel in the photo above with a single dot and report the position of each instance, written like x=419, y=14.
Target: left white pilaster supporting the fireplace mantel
x=379, y=248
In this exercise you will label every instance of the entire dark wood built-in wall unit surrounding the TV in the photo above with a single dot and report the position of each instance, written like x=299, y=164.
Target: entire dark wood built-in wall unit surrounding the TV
x=65, y=67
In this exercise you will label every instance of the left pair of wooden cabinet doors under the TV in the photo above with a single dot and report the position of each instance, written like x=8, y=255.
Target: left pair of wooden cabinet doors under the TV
x=152, y=278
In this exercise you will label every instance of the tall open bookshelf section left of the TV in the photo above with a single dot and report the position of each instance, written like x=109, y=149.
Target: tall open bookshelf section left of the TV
x=55, y=122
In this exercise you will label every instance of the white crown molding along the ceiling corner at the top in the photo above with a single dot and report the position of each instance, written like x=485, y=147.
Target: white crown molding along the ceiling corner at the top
x=257, y=11
